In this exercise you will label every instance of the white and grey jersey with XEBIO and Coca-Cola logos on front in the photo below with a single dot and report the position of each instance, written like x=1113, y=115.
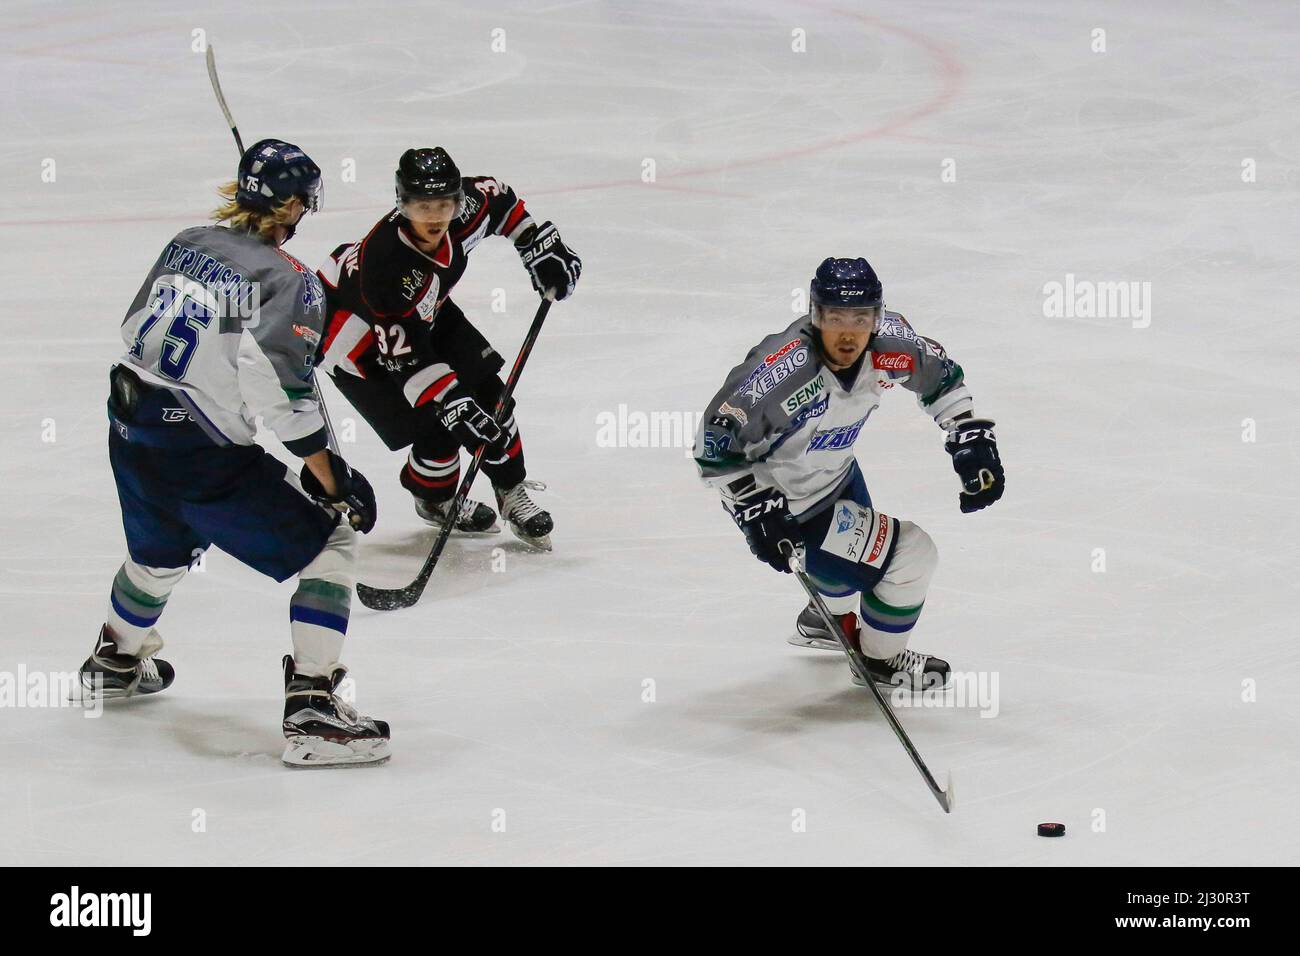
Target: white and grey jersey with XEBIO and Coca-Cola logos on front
x=787, y=419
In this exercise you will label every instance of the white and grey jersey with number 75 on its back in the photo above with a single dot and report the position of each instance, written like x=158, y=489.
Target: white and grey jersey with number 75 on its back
x=231, y=325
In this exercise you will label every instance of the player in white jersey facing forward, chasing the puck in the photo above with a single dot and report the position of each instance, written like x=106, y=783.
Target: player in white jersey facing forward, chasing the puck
x=778, y=443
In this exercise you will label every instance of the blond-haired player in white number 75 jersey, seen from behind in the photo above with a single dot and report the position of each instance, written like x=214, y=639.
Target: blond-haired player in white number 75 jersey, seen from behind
x=223, y=331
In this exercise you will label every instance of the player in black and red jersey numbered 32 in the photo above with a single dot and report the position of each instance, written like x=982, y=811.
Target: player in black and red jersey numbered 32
x=410, y=361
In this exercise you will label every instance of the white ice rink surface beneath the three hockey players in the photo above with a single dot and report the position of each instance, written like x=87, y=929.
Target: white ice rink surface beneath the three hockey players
x=522, y=690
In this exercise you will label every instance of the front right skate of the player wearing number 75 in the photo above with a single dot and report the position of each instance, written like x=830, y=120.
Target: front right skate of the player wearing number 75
x=323, y=729
